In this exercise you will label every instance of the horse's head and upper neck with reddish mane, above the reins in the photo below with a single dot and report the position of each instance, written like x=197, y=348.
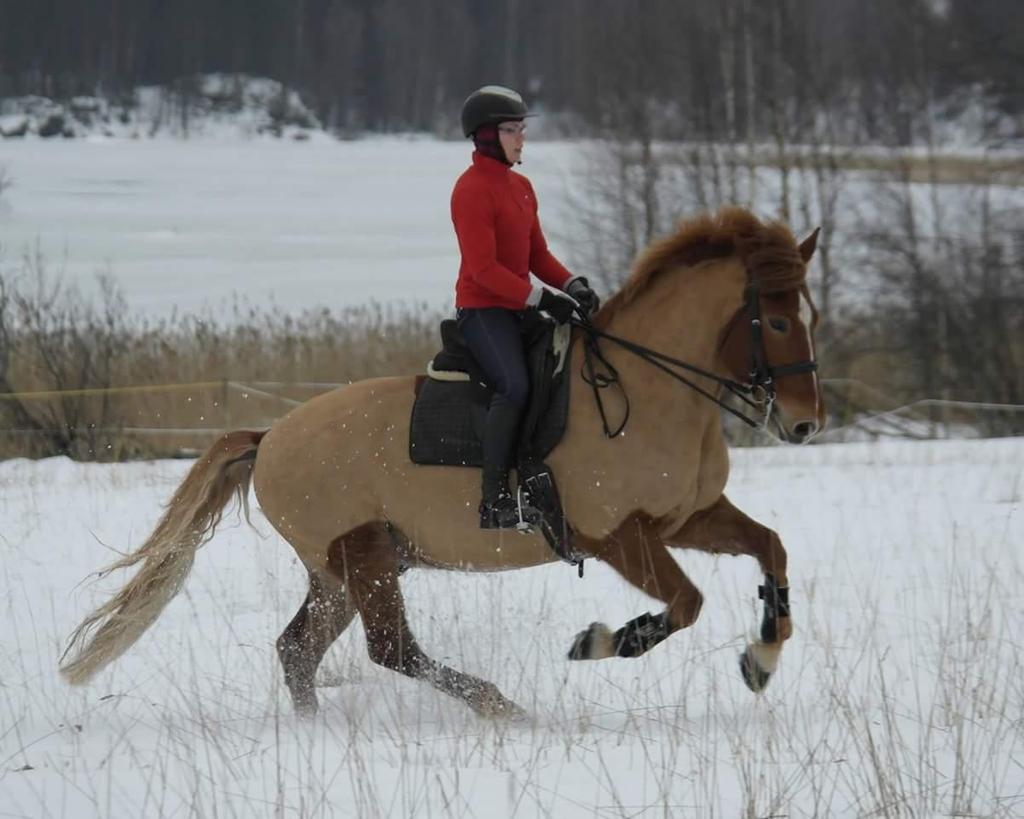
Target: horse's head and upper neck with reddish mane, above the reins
x=762, y=312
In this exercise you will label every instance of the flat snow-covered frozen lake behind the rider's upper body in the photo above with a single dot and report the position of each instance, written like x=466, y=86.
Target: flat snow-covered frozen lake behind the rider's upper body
x=187, y=225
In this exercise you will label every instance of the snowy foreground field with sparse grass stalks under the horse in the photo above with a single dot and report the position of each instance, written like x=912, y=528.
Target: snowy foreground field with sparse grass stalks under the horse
x=901, y=695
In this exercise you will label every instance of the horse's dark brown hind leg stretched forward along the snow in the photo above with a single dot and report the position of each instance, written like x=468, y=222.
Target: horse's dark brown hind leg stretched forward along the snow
x=366, y=559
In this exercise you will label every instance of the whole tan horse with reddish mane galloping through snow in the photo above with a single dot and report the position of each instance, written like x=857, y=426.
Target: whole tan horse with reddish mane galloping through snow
x=335, y=480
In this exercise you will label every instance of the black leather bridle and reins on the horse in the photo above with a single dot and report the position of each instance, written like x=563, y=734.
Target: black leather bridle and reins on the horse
x=758, y=393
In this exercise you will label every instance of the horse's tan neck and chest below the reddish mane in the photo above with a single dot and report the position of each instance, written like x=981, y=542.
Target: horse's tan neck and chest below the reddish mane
x=673, y=430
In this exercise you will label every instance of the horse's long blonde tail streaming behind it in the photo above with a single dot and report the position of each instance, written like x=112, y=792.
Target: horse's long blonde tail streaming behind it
x=224, y=471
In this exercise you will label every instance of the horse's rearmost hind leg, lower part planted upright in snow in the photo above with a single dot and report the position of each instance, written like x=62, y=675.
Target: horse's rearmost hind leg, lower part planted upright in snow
x=324, y=616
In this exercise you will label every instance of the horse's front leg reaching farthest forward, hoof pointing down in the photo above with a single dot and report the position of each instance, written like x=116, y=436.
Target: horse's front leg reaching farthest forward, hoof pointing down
x=724, y=530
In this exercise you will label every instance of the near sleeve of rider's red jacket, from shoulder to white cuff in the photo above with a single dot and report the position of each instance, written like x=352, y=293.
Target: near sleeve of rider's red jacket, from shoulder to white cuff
x=474, y=215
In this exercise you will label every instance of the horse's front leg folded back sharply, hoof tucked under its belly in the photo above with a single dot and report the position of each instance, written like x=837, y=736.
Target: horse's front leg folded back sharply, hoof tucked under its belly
x=636, y=552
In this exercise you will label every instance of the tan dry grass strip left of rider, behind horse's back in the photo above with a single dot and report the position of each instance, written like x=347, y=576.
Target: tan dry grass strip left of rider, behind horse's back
x=190, y=371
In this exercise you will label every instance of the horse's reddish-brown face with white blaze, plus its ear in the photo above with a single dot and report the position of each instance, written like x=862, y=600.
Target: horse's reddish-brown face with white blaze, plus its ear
x=770, y=346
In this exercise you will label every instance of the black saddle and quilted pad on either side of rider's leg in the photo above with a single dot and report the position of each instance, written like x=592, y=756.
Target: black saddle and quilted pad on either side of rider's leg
x=449, y=416
